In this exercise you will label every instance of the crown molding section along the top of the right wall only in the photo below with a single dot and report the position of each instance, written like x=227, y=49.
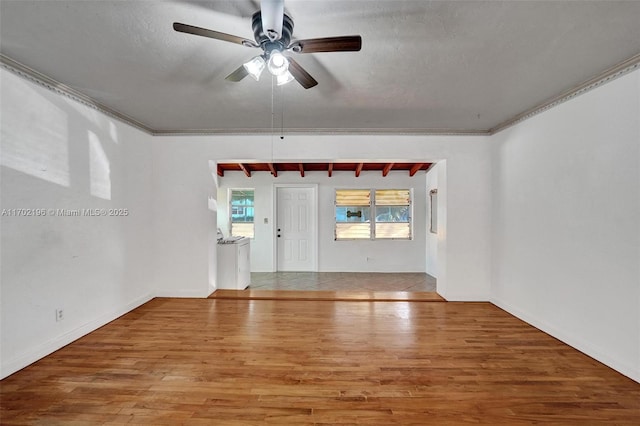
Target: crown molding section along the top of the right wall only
x=604, y=77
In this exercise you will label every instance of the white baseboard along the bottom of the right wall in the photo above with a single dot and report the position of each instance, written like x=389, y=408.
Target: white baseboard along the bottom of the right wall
x=633, y=372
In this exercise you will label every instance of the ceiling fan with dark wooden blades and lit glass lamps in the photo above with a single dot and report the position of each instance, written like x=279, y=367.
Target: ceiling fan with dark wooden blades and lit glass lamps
x=272, y=30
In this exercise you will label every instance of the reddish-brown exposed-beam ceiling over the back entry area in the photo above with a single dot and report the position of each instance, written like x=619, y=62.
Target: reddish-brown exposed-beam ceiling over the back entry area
x=275, y=169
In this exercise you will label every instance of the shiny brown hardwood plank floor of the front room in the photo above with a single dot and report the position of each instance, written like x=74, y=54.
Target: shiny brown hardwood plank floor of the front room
x=256, y=362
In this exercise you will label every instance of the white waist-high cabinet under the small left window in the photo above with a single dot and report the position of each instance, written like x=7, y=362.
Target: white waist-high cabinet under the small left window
x=234, y=267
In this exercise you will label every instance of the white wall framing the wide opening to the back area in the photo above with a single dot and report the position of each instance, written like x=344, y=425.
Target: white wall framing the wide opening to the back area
x=184, y=183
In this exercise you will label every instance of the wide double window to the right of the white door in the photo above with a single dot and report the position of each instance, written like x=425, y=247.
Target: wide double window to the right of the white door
x=390, y=213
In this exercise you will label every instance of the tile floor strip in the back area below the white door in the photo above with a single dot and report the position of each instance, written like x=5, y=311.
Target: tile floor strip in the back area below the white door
x=341, y=281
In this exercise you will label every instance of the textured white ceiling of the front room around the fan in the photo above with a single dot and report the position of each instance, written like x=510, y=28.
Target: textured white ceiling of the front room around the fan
x=425, y=66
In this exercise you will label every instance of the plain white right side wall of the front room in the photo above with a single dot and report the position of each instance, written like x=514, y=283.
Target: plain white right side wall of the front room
x=566, y=238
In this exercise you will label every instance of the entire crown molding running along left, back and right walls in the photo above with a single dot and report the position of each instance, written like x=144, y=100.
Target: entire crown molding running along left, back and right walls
x=40, y=79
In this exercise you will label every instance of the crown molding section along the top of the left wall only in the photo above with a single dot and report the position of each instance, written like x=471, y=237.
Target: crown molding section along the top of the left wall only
x=55, y=86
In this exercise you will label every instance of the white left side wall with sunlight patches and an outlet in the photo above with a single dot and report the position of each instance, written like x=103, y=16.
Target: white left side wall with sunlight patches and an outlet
x=59, y=154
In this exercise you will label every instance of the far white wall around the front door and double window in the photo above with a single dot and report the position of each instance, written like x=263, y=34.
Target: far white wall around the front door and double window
x=340, y=256
